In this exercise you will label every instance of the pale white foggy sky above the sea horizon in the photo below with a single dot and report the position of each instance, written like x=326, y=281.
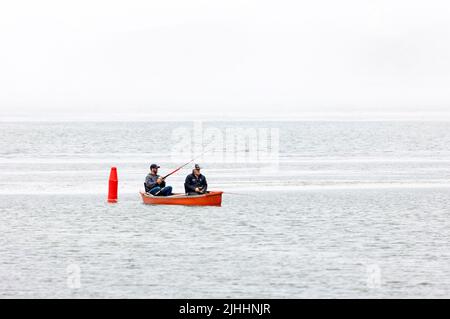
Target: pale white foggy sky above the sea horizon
x=250, y=56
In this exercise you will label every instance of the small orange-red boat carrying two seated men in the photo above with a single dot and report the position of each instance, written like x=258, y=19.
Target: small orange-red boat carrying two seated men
x=208, y=199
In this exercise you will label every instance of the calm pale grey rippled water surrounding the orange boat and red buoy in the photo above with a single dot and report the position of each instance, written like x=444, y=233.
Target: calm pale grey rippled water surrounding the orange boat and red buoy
x=352, y=209
